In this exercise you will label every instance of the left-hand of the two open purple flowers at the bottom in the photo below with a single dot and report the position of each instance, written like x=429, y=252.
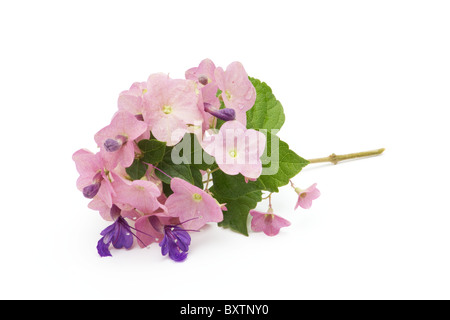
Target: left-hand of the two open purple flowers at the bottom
x=118, y=234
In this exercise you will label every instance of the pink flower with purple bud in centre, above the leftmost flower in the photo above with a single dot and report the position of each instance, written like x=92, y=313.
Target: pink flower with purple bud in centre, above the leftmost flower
x=117, y=140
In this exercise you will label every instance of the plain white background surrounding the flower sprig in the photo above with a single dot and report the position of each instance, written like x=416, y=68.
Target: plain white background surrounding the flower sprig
x=351, y=75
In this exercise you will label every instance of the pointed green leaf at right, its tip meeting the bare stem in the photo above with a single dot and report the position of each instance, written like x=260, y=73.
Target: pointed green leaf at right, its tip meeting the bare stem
x=287, y=164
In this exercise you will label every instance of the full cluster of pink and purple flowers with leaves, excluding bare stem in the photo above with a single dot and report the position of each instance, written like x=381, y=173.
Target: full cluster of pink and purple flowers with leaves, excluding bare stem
x=143, y=177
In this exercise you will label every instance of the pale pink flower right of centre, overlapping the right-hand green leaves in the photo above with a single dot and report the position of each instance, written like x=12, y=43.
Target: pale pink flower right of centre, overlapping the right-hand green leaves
x=237, y=149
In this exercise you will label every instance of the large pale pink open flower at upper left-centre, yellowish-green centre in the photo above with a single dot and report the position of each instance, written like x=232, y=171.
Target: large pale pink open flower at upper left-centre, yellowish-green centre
x=170, y=107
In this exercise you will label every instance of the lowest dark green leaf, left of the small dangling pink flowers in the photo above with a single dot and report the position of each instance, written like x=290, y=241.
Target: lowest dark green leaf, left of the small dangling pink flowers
x=236, y=216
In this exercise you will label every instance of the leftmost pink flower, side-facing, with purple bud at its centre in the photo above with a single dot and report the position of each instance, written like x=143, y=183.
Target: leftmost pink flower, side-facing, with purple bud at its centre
x=93, y=180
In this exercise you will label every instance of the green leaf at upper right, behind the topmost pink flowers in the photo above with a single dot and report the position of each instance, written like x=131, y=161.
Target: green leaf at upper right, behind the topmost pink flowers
x=267, y=113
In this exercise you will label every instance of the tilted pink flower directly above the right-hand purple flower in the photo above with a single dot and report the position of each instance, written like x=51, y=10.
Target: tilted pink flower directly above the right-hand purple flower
x=190, y=202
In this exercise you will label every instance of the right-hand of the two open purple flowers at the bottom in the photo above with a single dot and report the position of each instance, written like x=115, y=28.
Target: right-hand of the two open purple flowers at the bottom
x=176, y=242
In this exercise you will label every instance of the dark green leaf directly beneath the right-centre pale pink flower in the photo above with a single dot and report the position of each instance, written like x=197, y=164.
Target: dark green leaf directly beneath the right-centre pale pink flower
x=233, y=187
